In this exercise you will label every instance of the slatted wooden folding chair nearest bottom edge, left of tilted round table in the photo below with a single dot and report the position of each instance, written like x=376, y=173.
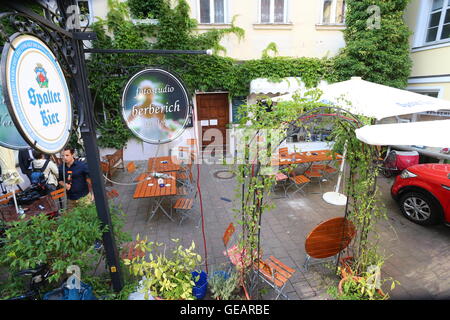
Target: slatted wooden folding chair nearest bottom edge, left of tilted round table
x=276, y=274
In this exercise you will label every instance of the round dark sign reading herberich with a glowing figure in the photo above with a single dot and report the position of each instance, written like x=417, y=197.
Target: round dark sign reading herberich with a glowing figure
x=155, y=106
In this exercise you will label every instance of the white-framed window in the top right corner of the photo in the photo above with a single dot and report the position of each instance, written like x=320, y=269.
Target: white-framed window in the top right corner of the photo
x=438, y=27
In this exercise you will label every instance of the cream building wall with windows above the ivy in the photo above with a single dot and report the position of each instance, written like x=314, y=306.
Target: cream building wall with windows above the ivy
x=311, y=28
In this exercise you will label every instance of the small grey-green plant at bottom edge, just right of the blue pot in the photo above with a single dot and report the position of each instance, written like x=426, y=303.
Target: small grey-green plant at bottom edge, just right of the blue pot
x=222, y=284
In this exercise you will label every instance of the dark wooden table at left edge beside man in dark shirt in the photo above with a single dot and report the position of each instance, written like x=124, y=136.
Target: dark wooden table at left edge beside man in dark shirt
x=43, y=205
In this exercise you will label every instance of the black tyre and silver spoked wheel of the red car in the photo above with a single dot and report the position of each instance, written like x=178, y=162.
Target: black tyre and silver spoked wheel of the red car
x=420, y=208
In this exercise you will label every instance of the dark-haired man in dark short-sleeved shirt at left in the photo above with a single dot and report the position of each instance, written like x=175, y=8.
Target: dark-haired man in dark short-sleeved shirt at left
x=76, y=182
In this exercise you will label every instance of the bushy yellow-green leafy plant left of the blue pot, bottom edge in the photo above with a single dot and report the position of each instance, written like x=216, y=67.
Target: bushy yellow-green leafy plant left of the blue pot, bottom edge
x=164, y=277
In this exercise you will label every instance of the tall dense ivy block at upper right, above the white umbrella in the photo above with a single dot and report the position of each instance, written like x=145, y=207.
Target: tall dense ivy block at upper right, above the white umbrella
x=377, y=46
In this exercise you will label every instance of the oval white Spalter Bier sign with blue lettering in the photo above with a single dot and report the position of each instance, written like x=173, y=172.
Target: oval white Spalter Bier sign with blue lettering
x=36, y=93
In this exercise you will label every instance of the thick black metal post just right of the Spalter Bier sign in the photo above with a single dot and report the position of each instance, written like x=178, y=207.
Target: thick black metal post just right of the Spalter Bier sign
x=93, y=159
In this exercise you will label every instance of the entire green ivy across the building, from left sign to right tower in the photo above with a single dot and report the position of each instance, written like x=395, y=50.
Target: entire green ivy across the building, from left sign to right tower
x=379, y=55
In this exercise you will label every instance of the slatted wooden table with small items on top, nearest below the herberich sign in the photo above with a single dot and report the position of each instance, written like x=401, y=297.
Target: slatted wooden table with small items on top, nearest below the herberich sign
x=149, y=188
